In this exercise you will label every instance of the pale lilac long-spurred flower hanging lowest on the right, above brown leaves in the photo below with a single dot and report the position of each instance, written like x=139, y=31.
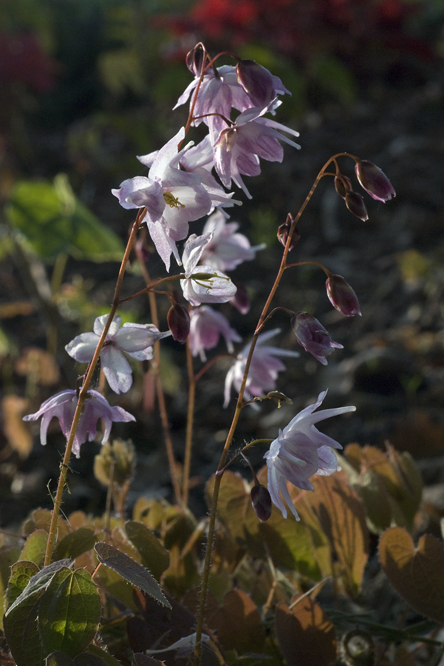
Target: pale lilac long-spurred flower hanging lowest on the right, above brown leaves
x=301, y=451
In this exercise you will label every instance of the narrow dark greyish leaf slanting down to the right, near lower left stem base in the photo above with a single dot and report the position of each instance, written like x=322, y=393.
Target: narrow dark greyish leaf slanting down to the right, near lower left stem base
x=132, y=571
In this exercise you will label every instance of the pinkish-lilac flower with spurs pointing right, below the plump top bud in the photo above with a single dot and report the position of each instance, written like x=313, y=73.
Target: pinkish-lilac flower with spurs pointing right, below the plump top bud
x=238, y=148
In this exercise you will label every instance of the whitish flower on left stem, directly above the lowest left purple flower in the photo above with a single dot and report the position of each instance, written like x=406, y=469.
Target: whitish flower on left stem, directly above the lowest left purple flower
x=135, y=340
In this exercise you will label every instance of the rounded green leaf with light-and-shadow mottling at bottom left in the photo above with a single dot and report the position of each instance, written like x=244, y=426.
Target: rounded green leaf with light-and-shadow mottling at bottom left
x=69, y=612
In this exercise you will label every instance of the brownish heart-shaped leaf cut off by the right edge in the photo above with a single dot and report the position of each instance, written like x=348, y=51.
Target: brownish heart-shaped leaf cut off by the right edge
x=417, y=574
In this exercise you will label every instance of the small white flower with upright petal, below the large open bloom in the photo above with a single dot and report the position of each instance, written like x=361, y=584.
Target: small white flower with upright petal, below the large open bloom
x=203, y=284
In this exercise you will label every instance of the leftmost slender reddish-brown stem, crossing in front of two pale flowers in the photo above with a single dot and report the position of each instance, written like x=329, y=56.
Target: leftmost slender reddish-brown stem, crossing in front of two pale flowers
x=84, y=392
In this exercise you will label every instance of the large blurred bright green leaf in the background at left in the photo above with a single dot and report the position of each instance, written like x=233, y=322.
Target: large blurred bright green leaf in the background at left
x=53, y=221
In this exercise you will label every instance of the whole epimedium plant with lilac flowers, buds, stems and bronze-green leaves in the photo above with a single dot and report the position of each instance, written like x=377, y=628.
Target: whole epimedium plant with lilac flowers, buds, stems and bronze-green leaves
x=105, y=591
